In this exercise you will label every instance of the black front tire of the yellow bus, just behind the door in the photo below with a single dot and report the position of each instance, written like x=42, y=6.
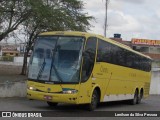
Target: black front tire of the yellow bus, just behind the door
x=94, y=101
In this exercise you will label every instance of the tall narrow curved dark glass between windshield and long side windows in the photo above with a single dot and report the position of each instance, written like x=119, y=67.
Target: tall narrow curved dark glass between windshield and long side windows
x=89, y=58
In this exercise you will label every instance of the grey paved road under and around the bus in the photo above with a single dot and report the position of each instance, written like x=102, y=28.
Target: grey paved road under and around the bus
x=23, y=104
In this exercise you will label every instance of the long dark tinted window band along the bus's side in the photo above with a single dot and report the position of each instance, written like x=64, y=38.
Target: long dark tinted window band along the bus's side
x=113, y=54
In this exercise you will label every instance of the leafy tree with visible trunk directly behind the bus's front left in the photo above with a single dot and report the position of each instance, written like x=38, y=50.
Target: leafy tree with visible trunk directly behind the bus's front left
x=53, y=15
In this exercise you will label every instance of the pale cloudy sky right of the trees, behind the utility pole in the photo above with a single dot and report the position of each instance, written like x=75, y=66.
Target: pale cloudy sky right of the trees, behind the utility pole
x=130, y=18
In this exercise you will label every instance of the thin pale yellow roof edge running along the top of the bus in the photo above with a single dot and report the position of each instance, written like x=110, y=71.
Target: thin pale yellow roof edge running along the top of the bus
x=77, y=33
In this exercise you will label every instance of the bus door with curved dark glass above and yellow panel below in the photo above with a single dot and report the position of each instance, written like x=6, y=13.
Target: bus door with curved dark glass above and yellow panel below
x=88, y=62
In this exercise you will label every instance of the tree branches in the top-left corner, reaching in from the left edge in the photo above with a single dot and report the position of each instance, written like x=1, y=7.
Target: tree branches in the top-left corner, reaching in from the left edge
x=12, y=14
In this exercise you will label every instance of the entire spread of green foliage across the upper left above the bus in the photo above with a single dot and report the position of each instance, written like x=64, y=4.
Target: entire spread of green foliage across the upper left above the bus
x=42, y=15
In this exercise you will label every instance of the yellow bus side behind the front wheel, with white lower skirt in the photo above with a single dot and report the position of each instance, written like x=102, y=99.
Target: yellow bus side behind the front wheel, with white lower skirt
x=120, y=82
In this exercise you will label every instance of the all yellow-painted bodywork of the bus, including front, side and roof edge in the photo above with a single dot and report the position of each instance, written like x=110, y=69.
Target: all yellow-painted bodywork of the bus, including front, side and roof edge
x=110, y=79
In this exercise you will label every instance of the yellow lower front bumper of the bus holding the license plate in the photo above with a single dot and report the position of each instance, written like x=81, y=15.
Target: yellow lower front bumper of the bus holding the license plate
x=55, y=97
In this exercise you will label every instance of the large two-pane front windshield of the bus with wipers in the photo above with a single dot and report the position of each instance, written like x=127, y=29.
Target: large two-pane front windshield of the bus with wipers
x=56, y=58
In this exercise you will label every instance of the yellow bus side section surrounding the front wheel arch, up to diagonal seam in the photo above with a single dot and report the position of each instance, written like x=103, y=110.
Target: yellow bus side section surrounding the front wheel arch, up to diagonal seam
x=100, y=77
